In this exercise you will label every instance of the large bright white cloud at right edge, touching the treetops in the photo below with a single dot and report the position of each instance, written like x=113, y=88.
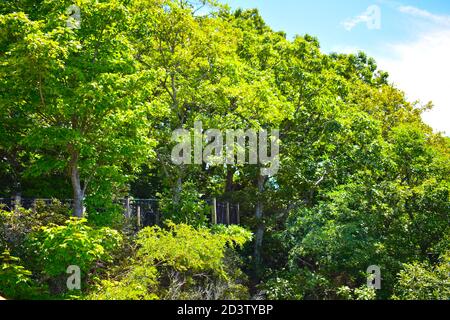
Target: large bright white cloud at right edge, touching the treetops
x=421, y=68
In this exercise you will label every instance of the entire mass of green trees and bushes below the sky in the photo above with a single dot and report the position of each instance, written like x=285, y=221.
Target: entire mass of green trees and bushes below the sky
x=91, y=93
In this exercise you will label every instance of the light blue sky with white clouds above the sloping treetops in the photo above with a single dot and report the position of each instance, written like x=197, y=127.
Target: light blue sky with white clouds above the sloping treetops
x=411, y=40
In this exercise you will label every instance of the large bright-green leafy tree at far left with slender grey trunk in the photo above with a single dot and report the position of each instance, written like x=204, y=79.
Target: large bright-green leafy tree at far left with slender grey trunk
x=81, y=92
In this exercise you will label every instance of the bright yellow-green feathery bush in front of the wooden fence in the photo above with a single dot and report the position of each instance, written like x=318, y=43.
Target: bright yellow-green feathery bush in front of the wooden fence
x=181, y=262
